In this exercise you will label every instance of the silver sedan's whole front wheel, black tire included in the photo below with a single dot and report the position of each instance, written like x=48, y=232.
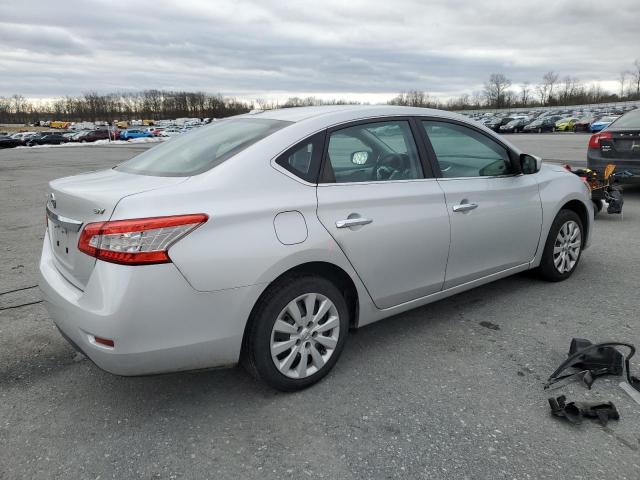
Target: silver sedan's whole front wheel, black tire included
x=563, y=247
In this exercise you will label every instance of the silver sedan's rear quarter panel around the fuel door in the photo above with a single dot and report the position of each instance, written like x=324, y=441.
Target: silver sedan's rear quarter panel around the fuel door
x=238, y=245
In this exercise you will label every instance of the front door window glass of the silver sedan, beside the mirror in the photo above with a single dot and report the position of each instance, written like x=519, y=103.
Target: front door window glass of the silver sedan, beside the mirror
x=463, y=152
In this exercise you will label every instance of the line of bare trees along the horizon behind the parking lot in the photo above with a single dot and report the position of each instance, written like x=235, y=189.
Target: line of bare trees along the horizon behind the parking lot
x=498, y=92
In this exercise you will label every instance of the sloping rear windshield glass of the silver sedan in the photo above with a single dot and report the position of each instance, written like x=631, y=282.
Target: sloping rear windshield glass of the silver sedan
x=202, y=149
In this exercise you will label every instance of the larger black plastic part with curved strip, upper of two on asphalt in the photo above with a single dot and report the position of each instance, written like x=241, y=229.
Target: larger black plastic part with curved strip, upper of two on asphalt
x=593, y=360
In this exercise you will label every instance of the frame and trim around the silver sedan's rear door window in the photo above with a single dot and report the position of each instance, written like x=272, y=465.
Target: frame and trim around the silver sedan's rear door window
x=425, y=164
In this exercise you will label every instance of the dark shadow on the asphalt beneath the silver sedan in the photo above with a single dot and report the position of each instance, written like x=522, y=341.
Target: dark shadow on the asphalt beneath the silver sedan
x=226, y=386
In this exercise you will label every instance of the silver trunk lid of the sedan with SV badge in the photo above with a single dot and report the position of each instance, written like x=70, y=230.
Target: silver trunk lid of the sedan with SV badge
x=76, y=201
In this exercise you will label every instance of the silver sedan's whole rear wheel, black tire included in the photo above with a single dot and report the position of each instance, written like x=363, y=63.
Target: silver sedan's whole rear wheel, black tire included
x=297, y=332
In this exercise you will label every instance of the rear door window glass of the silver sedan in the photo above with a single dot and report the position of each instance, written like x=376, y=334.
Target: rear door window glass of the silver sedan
x=372, y=152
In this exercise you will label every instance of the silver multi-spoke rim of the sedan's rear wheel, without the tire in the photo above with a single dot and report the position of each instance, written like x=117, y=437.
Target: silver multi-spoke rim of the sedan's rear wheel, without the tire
x=305, y=335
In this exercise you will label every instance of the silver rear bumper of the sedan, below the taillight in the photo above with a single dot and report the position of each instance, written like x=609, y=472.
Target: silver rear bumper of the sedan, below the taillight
x=157, y=321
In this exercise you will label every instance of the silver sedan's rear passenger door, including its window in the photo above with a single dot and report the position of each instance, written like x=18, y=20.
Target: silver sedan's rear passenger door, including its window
x=387, y=216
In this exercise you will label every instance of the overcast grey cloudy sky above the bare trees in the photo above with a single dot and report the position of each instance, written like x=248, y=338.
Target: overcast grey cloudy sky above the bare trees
x=363, y=50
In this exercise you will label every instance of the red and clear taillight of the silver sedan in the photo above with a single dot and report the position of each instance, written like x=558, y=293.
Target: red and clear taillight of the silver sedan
x=140, y=241
